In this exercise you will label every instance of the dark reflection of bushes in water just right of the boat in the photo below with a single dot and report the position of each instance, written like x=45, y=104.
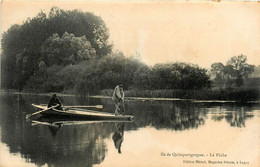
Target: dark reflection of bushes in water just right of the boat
x=174, y=116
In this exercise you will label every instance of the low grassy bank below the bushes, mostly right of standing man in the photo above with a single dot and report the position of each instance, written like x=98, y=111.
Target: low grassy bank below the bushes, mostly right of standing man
x=207, y=94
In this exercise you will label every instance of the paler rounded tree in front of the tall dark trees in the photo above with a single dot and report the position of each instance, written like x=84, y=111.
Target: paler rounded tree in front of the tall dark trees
x=66, y=50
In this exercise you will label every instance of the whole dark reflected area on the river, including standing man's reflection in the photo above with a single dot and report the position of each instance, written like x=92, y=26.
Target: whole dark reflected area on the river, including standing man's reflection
x=84, y=144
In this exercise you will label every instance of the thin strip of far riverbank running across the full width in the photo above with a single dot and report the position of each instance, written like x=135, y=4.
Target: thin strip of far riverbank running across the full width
x=209, y=95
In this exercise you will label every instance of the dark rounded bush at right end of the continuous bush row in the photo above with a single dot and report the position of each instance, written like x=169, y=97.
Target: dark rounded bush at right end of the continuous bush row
x=179, y=76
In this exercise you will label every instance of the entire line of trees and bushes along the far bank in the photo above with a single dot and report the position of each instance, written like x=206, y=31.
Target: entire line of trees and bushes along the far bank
x=68, y=52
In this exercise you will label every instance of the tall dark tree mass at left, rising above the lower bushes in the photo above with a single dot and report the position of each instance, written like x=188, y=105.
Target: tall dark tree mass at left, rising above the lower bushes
x=44, y=36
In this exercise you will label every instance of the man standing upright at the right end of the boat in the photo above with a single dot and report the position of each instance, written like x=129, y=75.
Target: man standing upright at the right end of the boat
x=118, y=98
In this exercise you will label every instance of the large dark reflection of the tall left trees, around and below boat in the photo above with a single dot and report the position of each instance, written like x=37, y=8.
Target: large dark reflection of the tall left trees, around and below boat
x=81, y=145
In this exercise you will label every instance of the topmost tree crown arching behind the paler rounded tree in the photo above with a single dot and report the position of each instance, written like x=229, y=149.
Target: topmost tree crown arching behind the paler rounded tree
x=81, y=23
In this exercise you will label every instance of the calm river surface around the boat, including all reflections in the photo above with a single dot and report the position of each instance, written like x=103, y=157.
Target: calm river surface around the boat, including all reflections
x=163, y=133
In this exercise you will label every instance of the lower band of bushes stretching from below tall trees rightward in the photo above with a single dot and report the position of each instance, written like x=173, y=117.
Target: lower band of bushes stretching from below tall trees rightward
x=98, y=74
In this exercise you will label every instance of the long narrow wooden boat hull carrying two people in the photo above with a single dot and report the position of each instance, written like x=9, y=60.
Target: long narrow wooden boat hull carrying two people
x=78, y=113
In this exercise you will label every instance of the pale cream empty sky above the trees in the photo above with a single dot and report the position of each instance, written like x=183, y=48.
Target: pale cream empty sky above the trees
x=193, y=32
